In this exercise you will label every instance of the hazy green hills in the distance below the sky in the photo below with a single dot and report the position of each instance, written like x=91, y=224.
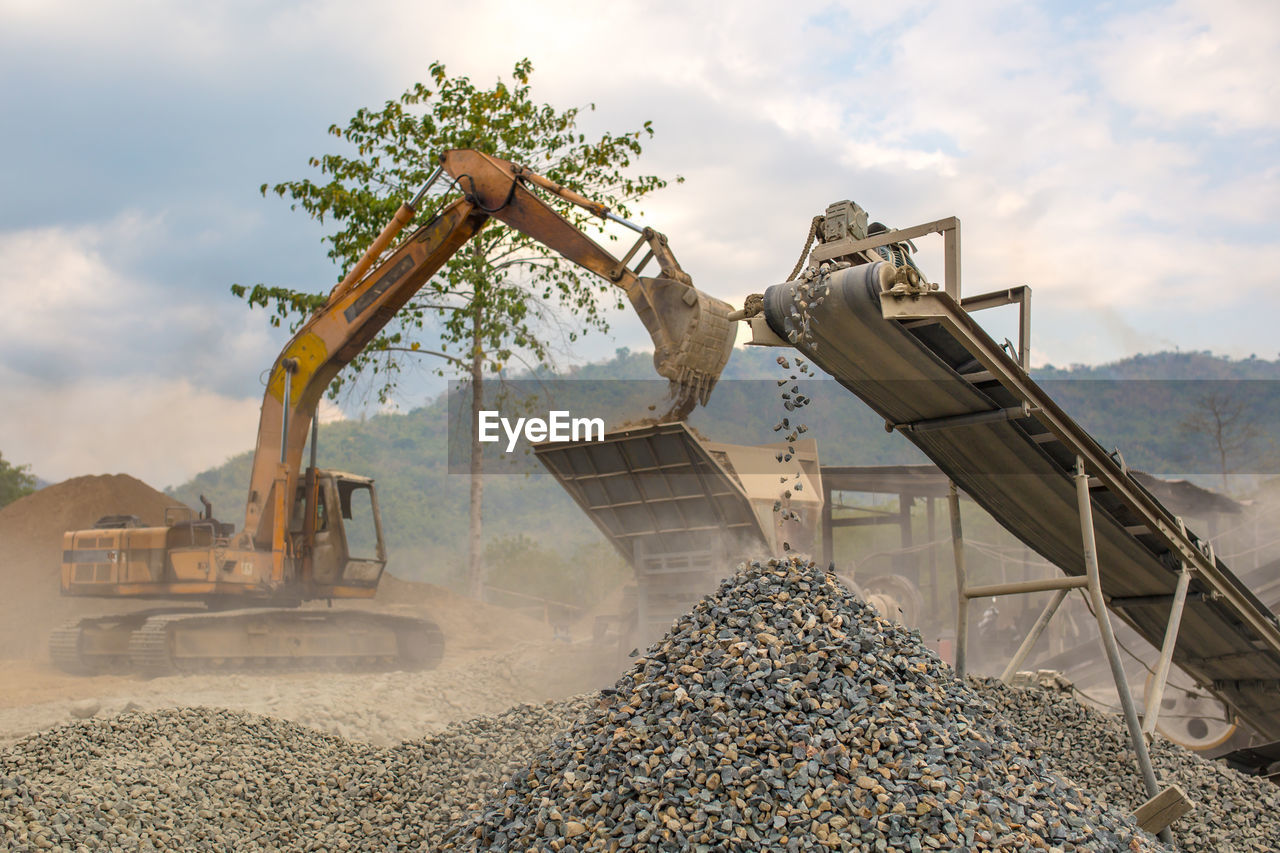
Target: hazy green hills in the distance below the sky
x=534, y=531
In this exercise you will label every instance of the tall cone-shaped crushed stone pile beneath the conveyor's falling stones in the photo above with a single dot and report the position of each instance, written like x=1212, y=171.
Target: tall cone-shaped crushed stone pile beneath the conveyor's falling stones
x=783, y=714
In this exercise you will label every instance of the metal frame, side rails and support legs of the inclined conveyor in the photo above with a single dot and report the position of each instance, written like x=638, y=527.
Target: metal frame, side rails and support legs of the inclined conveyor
x=912, y=304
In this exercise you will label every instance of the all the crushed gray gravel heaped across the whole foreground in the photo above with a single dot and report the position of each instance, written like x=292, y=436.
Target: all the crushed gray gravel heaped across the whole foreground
x=781, y=714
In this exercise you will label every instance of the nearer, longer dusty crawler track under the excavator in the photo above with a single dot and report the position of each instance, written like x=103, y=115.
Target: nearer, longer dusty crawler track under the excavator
x=284, y=640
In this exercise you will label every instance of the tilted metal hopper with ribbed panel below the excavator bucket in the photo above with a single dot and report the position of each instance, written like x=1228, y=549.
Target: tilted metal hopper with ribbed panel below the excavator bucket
x=685, y=512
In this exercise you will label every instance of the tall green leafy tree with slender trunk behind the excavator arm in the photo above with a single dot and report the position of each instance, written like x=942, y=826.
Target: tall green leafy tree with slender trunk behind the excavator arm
x=500, y=299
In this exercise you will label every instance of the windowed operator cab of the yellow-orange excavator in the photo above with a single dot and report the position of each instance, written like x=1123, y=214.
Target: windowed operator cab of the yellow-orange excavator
x=346, y=545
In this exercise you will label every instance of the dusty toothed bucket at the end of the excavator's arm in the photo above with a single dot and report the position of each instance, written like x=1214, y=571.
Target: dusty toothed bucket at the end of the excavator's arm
x=693, y=337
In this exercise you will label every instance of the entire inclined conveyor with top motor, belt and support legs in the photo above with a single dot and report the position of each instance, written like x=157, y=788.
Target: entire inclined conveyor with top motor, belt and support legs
x=916, y=355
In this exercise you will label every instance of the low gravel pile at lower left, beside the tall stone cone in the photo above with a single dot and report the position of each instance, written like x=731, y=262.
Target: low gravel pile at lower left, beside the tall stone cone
x=202, y=779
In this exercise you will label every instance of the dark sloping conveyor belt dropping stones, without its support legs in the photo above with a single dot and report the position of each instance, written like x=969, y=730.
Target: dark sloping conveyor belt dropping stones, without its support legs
x=925, y=366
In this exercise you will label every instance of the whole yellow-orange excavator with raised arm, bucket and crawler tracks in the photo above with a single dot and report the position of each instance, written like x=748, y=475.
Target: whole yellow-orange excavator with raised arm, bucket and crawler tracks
x=313, y=535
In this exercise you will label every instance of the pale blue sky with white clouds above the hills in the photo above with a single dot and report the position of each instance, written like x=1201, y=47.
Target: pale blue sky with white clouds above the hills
x=1121, y=159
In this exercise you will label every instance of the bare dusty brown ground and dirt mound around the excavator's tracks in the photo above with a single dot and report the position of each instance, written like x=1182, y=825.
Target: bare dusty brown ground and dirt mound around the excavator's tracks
x=496, y=656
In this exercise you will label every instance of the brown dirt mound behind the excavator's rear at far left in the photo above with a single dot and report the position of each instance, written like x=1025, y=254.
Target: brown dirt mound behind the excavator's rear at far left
x=31, y=545
